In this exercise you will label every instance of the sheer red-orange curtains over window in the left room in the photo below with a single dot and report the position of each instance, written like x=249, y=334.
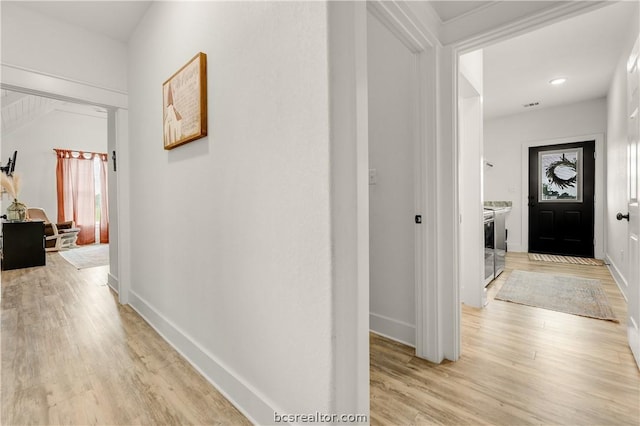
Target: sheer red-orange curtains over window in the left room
x=77, y=194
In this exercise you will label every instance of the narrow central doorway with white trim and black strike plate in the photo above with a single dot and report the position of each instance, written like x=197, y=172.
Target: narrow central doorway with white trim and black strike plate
x=400, y=165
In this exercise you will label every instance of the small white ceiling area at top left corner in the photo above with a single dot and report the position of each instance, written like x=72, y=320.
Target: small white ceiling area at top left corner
x=114, y=19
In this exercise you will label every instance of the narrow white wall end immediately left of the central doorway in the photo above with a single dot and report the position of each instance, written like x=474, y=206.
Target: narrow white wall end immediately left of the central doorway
x=349, y=158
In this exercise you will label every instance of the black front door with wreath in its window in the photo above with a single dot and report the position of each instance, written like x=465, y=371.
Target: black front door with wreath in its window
x=561, y=186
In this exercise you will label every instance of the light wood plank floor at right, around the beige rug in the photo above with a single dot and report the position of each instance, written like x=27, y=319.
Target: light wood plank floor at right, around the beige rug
x=520, y=365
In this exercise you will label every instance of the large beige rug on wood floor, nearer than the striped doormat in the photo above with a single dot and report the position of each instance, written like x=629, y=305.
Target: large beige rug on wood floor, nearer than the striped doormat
x=562, y=293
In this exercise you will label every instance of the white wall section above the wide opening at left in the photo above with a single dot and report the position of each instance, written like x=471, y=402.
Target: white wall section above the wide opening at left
x=36, y=42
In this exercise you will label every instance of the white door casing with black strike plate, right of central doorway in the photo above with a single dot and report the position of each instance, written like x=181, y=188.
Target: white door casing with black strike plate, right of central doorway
x=400, y=20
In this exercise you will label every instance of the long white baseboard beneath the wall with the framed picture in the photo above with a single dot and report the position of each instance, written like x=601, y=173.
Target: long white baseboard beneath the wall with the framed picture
x=241, y=394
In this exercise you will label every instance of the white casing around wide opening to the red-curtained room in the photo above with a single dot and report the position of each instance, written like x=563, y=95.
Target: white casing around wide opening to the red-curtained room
x=116, y=102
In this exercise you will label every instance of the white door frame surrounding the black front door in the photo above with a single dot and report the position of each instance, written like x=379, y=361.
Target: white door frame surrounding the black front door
x=599, y=204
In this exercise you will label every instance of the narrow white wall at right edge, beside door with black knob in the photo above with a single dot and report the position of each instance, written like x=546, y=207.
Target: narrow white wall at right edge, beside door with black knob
x=617, y=169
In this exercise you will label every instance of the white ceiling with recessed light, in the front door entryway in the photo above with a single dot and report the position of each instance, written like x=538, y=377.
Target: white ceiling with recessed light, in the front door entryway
x=584, y=49
